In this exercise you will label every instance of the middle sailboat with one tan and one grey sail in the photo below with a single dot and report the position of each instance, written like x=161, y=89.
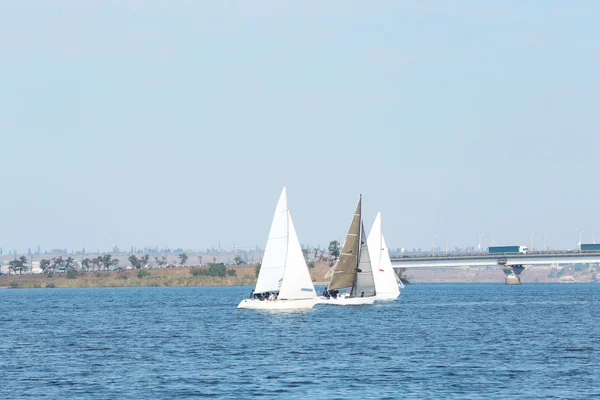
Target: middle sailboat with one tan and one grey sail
x=353, y=269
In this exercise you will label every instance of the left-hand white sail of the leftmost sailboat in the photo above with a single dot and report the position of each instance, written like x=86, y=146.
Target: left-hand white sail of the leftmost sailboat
x=274, y=259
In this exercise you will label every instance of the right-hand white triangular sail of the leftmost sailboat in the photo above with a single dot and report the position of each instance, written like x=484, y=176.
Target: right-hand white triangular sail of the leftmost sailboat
x=297, y=283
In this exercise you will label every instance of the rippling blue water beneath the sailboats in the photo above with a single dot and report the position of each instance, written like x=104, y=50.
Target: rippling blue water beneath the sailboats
x=437, y=341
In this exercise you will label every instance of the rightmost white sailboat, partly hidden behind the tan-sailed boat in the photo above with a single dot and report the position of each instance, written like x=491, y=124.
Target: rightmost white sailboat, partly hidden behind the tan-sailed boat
x=387, y=283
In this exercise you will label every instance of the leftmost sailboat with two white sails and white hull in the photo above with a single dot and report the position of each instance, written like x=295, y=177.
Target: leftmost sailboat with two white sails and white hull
x=283, y=268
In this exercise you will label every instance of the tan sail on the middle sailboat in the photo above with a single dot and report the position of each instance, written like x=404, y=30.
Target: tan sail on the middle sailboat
x=345, y=268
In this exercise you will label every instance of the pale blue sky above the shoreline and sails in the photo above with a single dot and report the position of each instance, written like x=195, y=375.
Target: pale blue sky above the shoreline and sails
x=177, y=123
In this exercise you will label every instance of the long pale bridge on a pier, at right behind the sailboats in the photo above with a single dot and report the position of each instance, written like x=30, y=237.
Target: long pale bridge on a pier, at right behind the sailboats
x=511, y=263
